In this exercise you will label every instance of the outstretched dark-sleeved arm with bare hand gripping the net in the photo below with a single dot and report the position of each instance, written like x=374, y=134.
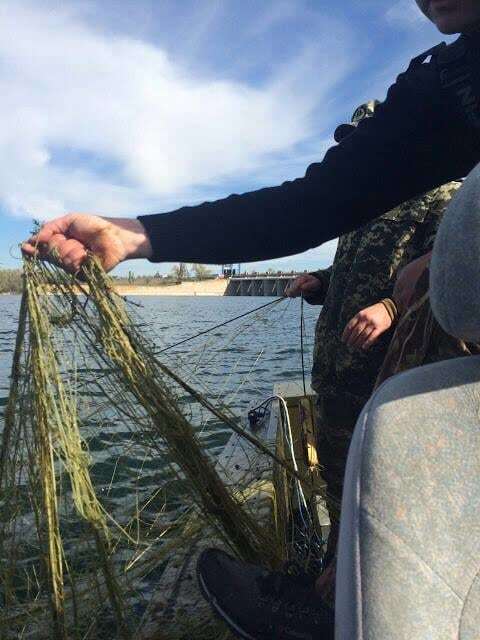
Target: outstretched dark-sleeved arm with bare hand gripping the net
x=416, y=140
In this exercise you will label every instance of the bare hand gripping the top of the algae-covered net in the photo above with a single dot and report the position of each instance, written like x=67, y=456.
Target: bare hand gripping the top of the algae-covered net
x=67, y=240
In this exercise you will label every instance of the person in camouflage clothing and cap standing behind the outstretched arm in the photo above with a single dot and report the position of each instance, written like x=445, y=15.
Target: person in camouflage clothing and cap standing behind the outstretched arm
x=356, y=292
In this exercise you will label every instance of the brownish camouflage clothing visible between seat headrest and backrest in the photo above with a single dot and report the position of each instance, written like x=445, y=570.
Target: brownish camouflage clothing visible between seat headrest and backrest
x=419, y=339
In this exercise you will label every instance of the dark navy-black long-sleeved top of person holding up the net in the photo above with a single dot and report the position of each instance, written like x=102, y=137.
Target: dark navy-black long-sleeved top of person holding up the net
x=426, y=133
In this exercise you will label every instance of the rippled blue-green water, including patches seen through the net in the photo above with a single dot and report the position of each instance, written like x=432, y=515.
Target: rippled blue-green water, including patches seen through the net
x=237, y=364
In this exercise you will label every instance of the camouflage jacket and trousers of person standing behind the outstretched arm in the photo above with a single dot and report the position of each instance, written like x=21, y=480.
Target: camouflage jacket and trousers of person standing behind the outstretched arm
x=364, y=271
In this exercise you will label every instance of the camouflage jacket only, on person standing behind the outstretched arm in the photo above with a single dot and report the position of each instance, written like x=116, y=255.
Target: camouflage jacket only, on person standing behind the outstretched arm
x=364, y=271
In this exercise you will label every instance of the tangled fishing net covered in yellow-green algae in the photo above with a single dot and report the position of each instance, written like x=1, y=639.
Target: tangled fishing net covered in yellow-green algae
x=80, y=554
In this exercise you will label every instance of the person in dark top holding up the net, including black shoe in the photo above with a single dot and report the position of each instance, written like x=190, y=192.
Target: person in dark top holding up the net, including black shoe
x=425, y=133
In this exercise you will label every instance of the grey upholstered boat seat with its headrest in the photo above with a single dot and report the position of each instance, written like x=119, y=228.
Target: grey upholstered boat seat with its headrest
x=409, y=551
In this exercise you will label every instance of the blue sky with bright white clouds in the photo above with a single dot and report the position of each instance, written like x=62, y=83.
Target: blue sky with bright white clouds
x=122, y=107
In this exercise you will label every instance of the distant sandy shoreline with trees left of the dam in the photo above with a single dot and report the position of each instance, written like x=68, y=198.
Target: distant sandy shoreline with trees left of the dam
x=11, y=279
